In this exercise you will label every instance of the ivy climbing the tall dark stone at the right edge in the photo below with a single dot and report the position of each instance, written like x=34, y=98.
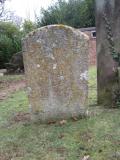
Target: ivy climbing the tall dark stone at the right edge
x=115, y=55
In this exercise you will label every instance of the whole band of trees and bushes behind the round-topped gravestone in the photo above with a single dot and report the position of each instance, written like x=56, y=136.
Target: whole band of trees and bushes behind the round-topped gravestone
x=75, y=13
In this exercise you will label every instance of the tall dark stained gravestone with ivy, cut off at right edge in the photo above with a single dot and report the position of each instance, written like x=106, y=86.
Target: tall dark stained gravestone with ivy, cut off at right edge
x=108, y=46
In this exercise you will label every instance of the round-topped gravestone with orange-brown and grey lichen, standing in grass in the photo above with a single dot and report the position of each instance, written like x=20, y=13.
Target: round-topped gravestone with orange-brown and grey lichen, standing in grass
x=56, y=66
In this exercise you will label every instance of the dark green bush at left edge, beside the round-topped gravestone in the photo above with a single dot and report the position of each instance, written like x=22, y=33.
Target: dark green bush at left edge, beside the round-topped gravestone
x=10, y=41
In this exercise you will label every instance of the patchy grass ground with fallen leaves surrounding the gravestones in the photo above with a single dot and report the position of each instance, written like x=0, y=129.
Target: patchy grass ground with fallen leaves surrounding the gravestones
x=97, y=136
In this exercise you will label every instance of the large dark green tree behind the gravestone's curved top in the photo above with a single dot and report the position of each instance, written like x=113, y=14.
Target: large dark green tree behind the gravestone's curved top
x=76, y=13
